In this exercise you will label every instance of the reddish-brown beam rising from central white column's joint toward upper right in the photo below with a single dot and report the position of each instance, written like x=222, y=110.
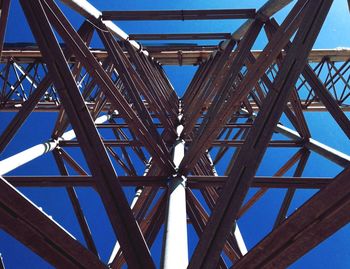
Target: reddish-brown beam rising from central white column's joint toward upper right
x=230, y=103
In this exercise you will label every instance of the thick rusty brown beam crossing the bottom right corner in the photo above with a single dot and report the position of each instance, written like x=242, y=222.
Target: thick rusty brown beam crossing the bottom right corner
x=320, y=217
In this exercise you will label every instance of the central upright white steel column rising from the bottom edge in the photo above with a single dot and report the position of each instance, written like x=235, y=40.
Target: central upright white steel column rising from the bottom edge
x=175, y=246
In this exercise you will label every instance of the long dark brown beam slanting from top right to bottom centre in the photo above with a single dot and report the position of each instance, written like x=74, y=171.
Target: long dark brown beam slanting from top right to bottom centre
x=207, y=252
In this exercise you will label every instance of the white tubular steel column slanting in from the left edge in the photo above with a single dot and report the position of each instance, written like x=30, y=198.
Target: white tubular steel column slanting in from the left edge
x=11, y=163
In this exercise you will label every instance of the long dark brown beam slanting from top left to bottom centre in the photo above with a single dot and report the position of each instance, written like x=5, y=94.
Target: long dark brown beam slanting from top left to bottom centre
x=118, y=210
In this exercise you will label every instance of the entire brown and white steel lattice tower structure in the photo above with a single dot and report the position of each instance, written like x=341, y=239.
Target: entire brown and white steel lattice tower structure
x=117, y=105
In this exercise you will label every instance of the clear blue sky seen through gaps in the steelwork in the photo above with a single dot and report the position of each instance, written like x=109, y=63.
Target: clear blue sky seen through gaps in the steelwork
x=333, y=253
